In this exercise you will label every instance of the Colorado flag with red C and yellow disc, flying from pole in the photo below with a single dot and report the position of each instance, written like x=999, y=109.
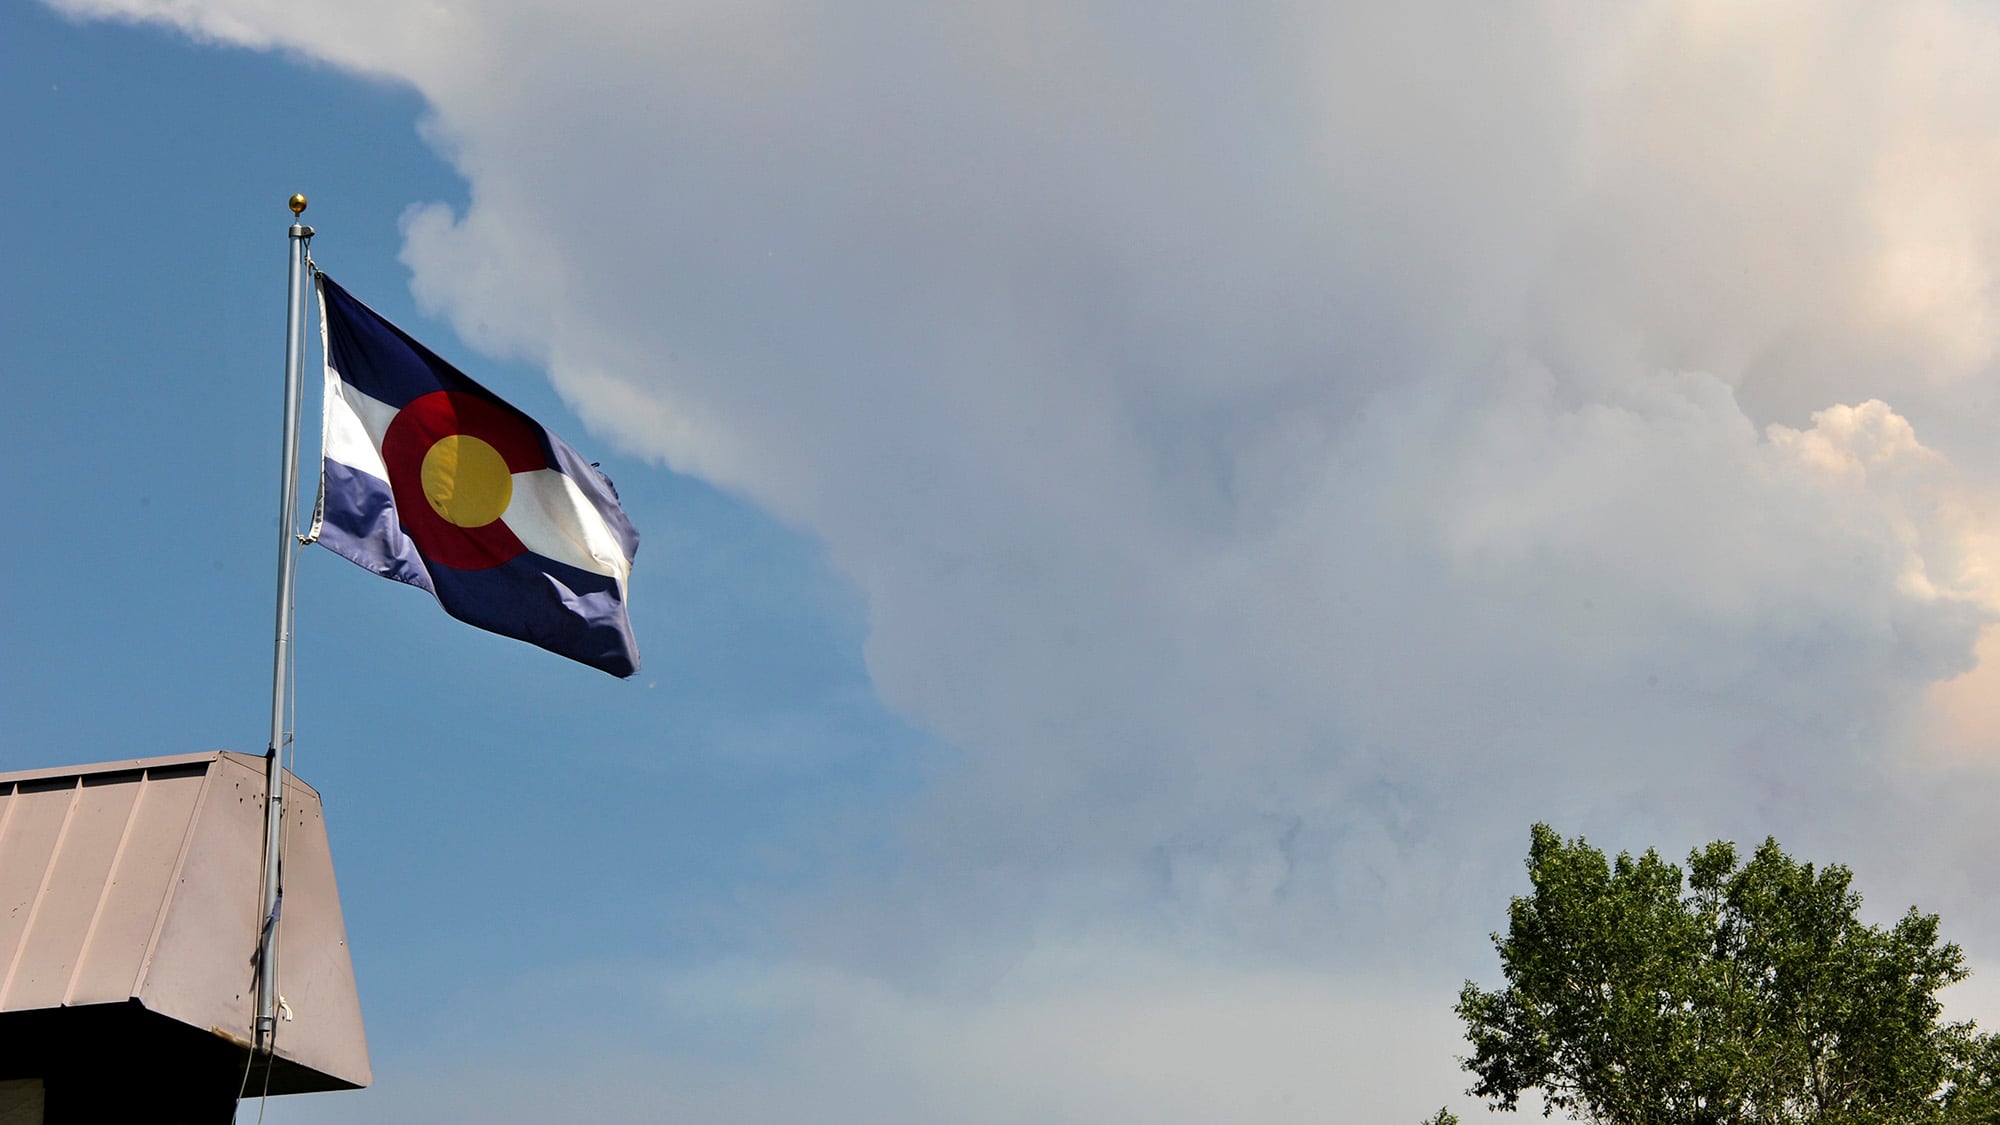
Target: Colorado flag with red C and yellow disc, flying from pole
x=435, y=481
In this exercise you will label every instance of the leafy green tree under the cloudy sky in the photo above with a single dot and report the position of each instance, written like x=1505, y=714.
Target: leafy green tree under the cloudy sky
x=1729, y=994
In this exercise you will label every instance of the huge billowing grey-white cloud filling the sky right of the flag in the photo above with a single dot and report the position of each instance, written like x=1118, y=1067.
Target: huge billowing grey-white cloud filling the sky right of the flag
x=1285, y=449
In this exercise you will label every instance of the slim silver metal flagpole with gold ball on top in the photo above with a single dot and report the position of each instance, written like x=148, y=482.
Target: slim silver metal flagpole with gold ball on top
x=295, y=357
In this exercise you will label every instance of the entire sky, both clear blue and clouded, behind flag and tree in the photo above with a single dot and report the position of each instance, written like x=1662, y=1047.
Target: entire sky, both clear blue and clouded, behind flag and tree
x=1141, y=511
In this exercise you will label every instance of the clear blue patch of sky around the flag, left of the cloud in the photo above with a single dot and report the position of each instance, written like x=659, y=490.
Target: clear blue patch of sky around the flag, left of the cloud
x=493, y=810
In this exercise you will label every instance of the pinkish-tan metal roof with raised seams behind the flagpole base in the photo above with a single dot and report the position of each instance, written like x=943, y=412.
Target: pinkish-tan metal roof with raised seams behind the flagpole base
x=137, y=882
